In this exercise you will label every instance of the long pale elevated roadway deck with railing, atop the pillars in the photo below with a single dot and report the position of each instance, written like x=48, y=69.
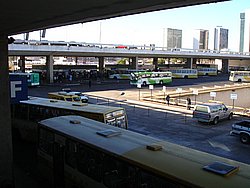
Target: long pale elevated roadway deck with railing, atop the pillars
x=39, y=48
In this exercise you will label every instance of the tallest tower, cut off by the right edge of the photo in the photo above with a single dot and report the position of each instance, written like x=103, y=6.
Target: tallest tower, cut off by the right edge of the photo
x=245, y=31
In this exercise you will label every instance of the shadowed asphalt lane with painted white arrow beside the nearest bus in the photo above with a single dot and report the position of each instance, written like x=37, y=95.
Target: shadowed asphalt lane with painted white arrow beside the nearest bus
x=184, y=130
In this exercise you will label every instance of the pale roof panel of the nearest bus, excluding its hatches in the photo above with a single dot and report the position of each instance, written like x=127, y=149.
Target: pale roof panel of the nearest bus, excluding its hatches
x=171, y=161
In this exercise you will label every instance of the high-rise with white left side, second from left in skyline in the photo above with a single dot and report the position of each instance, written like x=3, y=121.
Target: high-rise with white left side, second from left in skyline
x=200, y=39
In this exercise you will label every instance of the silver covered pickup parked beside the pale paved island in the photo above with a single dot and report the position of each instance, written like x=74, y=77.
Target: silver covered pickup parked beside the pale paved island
x=212, y=112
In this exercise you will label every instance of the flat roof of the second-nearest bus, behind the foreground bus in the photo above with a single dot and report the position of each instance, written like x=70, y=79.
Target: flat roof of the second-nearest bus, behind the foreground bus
x=75, y=106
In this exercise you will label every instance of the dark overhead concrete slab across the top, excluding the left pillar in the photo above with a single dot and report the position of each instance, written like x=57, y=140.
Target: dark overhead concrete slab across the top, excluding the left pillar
x=19, y=16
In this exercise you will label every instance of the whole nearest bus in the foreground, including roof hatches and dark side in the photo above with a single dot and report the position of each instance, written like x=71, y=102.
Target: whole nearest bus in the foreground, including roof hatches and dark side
x=77, y=152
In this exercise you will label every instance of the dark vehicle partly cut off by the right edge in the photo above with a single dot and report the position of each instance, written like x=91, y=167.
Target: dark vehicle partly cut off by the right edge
x=242, y=128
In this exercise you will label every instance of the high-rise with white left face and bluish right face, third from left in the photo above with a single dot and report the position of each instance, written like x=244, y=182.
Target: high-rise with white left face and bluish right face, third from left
x=220, y=38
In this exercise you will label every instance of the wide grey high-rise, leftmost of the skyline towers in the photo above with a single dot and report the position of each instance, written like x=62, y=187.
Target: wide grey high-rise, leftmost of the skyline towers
x=173, y=38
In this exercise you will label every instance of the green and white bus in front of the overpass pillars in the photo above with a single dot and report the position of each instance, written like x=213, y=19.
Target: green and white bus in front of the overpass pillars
x=146, y=78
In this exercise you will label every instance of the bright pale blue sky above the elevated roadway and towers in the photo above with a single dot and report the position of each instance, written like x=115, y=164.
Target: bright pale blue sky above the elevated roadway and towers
x=147, y=28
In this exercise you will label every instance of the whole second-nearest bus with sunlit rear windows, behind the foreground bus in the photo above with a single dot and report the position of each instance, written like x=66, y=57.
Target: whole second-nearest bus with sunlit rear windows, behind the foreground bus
x=26, y=114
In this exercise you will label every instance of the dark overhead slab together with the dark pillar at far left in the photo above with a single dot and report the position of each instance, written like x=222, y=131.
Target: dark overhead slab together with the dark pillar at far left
x=27, y=15
